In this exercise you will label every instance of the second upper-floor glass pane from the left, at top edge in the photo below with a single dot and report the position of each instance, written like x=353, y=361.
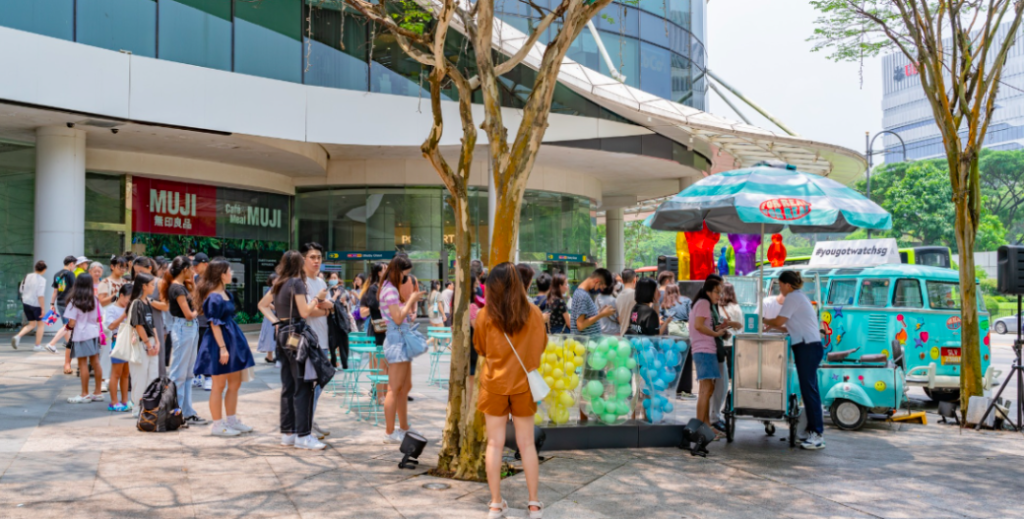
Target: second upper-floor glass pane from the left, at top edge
x=118, y=25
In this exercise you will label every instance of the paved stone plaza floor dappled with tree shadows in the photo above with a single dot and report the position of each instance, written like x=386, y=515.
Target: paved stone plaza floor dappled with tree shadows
x=69, y=461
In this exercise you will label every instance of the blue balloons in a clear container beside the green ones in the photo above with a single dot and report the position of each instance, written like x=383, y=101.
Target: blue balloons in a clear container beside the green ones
x=661, y=361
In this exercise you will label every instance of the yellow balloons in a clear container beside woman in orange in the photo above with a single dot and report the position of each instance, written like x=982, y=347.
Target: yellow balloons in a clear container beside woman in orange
x=561, y=365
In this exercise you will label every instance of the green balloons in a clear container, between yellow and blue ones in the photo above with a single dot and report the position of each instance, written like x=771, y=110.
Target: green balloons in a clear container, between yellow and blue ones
x=609, y=387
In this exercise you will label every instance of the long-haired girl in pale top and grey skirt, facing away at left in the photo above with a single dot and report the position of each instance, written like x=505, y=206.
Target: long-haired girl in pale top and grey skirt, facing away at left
x=84, y=323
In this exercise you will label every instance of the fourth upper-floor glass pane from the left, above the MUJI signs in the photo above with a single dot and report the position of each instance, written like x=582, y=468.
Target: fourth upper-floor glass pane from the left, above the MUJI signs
x=269, y=39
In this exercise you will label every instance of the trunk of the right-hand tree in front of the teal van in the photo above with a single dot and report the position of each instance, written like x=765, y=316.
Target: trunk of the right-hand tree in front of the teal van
x=966, y=230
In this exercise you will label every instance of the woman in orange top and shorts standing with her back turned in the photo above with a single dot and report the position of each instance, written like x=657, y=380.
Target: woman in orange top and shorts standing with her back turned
x=506, y=329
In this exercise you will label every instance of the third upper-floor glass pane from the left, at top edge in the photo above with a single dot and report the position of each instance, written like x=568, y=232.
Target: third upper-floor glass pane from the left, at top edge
x=197, y=32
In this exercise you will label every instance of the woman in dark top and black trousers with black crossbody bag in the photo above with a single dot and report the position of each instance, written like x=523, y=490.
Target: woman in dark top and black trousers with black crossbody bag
x=291, y=331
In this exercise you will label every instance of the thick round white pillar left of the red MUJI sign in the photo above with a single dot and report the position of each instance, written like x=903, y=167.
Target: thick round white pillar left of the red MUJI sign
x=60, y=197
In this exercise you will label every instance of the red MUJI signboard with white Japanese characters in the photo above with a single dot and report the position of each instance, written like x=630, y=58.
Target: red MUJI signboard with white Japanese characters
x=174, y=208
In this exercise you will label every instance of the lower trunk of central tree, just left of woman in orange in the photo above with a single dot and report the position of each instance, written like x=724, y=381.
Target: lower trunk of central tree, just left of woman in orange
x=462, y=442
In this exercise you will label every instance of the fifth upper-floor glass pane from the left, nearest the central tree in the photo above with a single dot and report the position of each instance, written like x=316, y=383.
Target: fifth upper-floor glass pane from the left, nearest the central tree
x=339, y=53
